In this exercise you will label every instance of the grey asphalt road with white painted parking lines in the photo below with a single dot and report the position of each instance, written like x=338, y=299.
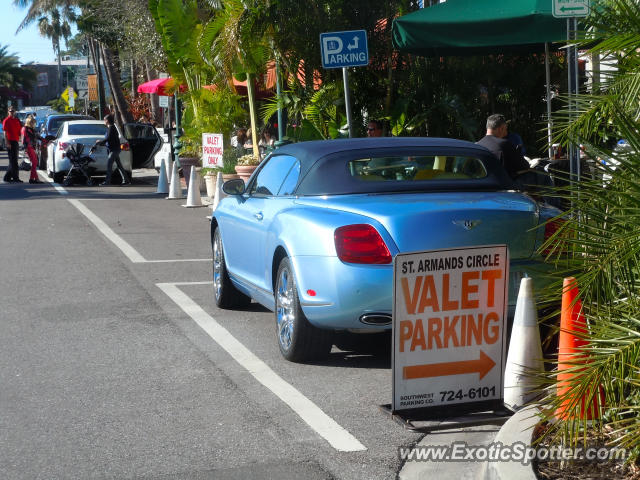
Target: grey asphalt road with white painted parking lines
x=114, y=361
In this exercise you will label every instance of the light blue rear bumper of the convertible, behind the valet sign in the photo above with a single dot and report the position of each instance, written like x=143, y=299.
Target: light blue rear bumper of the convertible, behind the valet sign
x=335, y=295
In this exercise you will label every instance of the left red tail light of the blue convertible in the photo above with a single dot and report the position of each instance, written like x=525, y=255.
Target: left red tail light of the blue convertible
x=361, y=244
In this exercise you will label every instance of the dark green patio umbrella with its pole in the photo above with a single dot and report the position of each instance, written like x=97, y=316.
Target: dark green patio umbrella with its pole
x=480, y=27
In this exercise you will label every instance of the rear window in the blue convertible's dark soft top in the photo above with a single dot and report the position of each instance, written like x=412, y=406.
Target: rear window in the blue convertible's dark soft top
x=416, y=168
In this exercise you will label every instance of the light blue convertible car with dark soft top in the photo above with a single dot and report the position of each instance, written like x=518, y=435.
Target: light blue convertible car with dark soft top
x=313, y=234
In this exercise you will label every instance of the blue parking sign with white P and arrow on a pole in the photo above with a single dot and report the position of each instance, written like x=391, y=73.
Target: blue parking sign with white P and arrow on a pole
x=344, y=49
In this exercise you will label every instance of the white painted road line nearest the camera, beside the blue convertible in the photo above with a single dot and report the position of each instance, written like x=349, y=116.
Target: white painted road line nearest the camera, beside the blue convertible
x=338, y=437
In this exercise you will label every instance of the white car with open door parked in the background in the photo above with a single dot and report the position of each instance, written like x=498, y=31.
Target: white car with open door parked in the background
x=85, y=132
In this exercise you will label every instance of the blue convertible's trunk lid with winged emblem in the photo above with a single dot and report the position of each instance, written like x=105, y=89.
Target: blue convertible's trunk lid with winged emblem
x=427, y=221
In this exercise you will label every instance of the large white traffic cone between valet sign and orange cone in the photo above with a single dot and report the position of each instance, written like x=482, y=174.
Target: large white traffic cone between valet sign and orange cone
x=525, y=350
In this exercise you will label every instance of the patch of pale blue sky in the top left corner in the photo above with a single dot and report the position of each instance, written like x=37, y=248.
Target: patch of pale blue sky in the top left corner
x=28, y=44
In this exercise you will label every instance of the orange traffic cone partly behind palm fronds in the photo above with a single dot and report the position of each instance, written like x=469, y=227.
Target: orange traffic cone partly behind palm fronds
x=573, y=329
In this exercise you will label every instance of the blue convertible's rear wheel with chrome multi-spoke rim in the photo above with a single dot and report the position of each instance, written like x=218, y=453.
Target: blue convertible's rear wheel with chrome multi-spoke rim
x=299, y=341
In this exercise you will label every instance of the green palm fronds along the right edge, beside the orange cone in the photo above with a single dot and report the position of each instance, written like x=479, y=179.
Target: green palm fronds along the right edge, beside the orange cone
x=601, y=234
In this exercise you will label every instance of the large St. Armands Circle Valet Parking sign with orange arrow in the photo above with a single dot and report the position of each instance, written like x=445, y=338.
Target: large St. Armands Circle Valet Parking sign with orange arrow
x=449, y=335
